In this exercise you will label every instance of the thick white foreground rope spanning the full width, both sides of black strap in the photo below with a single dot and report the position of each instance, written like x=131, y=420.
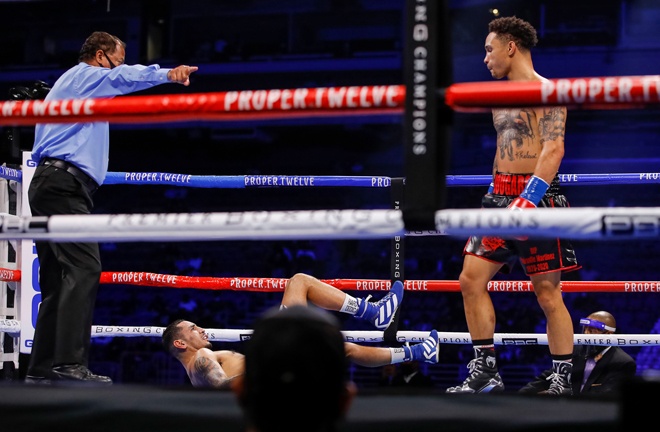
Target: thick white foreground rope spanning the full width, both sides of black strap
x=577, y=223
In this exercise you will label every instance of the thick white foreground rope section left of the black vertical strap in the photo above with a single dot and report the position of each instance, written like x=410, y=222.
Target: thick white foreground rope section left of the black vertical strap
x=259, y=225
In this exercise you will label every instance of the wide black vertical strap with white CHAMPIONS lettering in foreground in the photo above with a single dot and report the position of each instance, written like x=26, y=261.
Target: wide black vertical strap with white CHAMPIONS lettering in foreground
x=427, y=67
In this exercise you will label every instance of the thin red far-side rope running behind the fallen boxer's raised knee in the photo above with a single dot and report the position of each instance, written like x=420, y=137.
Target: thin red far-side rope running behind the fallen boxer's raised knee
x=278, y=284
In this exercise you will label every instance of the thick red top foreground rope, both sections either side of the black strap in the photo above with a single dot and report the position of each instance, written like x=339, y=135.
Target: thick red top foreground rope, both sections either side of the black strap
x=624, y=92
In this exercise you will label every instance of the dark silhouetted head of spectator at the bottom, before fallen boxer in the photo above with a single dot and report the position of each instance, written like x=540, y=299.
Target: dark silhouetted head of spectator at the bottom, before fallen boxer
x=296, y=372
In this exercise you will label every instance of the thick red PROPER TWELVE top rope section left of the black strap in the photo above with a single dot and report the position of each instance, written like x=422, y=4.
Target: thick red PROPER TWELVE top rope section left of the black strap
x=232, y=105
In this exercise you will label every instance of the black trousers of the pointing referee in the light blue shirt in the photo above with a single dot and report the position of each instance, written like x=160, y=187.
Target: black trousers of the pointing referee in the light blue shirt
x=68, y=276
